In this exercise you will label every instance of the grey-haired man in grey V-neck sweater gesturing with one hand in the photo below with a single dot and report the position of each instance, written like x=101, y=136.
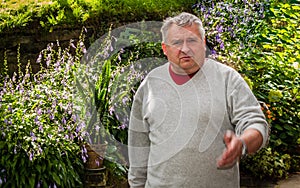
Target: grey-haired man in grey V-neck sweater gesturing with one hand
x=192, y=118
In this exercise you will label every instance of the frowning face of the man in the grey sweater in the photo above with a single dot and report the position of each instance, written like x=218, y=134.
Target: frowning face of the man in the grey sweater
x=184, y=48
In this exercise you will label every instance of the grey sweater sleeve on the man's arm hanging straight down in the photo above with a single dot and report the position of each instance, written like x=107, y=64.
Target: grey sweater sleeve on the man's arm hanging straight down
x=138, y=143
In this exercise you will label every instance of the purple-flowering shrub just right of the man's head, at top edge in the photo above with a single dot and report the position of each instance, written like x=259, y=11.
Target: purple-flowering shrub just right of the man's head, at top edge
x=231, y=25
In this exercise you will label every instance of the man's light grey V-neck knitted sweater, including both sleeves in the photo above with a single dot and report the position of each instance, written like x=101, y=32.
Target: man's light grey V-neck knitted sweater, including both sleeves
x=176, y=131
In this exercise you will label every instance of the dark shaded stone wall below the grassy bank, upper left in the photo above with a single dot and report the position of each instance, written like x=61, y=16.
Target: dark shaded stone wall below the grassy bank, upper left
x=32, y=40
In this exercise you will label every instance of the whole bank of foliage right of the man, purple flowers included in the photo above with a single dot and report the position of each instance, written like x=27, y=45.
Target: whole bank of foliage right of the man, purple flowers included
x=259, y=39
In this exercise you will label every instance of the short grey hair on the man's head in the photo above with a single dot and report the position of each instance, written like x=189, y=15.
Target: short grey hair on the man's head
x=183, y=19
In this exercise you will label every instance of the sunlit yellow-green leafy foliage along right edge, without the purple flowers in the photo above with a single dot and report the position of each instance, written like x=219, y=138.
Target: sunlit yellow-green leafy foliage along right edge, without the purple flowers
x=276, y=74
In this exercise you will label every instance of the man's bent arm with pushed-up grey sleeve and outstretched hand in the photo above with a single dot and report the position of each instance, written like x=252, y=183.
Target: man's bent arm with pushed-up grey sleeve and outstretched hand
x=251, y=127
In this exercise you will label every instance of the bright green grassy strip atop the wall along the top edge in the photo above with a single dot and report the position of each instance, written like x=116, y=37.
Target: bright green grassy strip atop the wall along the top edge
x=53, y=13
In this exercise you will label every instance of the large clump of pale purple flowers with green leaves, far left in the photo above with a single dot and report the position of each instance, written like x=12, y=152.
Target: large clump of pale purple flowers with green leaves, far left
x=40, y=132
